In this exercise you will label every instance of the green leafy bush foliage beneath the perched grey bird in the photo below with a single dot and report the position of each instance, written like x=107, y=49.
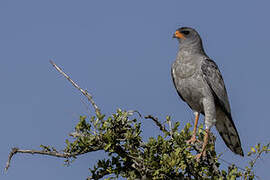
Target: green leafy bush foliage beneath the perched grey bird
x=166, y=156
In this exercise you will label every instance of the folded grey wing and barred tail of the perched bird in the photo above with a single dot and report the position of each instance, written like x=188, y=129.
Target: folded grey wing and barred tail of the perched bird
x=224, y=122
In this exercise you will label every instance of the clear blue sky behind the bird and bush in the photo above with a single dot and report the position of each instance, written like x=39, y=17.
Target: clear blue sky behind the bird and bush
x=121, y=51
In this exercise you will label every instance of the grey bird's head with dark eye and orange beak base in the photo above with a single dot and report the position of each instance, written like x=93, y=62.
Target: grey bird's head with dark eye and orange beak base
x=187, y=36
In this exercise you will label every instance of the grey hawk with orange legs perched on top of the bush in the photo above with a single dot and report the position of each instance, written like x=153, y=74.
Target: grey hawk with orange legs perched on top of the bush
x=199, y=83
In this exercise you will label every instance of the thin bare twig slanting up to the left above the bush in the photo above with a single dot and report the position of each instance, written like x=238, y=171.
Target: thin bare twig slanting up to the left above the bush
x=84, y=92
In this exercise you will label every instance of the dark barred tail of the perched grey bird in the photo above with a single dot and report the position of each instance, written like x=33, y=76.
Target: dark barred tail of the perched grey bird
x=228, y=132
